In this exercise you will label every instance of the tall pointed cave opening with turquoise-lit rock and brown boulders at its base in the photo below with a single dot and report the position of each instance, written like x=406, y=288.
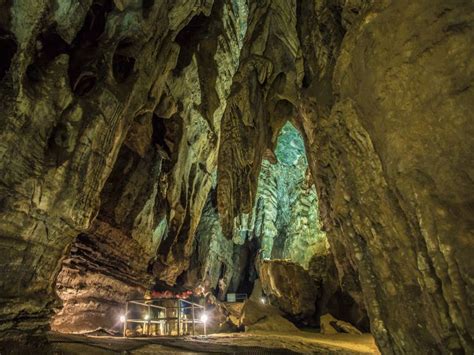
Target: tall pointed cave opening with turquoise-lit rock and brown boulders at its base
x=283, y=240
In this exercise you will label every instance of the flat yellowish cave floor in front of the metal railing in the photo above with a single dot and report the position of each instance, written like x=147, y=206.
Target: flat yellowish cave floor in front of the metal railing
x=237, y=343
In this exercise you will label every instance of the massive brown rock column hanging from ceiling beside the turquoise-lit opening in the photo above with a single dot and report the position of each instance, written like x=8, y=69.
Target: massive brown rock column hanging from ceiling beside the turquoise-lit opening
x=262, y=91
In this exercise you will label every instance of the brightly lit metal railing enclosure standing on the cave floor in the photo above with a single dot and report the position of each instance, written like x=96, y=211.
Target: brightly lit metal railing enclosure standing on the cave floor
x=161, y=319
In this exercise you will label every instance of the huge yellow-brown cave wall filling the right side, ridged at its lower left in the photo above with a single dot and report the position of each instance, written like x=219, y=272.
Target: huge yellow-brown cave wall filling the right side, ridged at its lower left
x=395, y=173
